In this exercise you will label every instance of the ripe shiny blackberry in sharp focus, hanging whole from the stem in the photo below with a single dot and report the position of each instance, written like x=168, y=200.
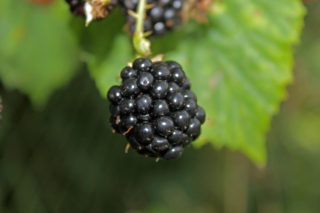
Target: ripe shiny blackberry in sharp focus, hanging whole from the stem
x=155, y=109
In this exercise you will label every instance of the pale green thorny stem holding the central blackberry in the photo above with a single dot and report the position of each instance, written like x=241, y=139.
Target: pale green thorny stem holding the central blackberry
x=140, y=43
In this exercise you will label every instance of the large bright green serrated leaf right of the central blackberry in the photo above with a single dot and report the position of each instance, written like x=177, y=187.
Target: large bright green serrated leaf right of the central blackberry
x=240, y=64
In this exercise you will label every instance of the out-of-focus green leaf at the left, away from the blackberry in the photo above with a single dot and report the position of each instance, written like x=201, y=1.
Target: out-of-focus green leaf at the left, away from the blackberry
x=38, y=53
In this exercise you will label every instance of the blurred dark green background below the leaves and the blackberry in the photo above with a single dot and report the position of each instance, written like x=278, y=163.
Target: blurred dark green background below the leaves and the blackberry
x=64, y=157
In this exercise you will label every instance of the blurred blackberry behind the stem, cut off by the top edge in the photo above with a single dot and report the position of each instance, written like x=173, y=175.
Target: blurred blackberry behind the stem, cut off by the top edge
x=162, y=16
